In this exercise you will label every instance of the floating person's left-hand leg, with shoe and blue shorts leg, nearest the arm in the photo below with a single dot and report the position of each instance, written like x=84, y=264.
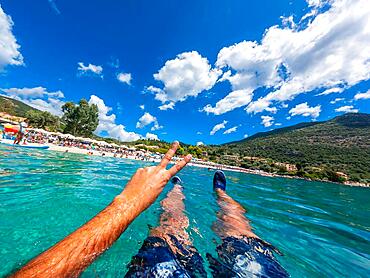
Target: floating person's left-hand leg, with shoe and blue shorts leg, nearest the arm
x=168, y=251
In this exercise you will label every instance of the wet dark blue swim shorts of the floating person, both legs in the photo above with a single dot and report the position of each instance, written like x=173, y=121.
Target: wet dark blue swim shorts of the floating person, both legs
x=237, y=257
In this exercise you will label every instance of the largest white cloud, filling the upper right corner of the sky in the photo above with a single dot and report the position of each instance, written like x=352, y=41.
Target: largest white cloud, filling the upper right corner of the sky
x=330, y=50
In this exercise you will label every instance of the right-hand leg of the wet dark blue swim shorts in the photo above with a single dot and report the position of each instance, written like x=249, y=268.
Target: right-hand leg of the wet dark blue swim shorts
x=245, y=257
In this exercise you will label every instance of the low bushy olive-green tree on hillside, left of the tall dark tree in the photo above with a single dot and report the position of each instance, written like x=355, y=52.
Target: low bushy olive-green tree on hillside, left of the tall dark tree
x=43, y=119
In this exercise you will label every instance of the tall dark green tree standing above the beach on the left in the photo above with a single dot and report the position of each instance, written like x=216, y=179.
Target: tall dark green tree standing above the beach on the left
x=81, y=119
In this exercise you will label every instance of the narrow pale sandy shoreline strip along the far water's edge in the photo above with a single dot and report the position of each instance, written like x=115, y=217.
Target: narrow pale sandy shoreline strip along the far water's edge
x=209, y=165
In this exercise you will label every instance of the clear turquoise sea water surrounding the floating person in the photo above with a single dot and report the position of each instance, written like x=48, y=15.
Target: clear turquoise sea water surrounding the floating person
x=322, y=229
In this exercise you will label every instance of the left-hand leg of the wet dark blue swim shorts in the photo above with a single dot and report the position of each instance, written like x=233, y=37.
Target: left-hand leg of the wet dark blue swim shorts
x=156, y=259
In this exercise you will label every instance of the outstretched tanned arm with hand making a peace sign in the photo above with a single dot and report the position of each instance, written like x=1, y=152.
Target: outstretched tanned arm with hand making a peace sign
x=77, y=251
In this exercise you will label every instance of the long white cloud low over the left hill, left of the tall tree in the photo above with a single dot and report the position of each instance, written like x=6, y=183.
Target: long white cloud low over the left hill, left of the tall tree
x=38, y=97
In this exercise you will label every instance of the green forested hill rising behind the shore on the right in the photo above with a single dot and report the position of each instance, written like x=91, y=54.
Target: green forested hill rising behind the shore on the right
x=341, y=144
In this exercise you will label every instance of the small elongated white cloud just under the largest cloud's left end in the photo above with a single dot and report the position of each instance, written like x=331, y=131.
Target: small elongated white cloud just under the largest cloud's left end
x=233, y=100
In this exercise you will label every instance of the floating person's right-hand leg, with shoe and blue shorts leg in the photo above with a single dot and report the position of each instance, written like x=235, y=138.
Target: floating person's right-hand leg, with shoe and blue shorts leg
x=242, y=253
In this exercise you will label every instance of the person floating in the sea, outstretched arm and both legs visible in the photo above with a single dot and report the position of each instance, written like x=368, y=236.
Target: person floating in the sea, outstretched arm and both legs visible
x=168, y=251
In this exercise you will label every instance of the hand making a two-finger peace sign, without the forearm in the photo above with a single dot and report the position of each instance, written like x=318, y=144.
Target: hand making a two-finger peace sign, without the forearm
x=147, y=183
